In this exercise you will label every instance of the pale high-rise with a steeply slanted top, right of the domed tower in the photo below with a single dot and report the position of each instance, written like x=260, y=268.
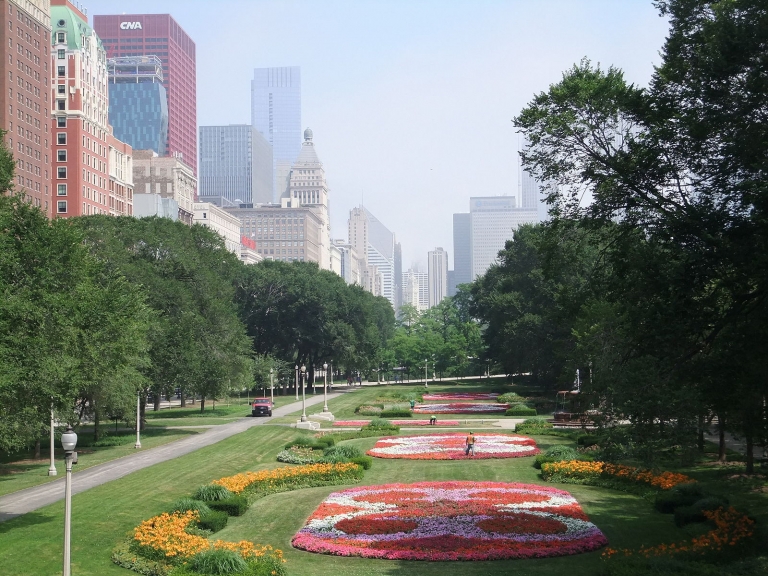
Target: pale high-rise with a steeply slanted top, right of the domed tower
x=370, y=237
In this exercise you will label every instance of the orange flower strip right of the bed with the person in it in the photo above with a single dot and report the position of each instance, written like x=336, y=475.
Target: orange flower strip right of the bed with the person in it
x=577, y=471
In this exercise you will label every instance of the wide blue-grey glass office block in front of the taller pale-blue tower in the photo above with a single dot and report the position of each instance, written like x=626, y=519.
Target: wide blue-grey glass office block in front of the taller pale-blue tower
x=235, y=164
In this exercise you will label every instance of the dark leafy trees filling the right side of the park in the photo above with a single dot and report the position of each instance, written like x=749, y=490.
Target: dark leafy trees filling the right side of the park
x=652, y=276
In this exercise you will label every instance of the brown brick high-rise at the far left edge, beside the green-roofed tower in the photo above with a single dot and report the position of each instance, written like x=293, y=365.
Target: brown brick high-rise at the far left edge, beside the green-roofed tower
x=25, y=109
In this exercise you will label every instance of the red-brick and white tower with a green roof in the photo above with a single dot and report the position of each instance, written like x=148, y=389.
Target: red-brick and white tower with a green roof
x=80, y=121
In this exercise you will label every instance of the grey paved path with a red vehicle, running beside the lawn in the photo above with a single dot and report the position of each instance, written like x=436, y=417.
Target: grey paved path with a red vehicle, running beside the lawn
x=23, y=501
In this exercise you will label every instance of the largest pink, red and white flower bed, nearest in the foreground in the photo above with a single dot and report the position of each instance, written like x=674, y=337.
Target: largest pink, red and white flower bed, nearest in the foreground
x=450, y=521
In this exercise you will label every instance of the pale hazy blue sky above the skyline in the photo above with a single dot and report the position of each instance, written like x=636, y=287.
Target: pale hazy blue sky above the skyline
x=410, y=101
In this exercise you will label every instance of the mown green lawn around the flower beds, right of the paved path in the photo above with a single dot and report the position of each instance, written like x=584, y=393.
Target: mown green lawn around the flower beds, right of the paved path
x=31, y=544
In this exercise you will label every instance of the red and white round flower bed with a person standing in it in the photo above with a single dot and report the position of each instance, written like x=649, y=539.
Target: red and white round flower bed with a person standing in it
x=451, y=447
